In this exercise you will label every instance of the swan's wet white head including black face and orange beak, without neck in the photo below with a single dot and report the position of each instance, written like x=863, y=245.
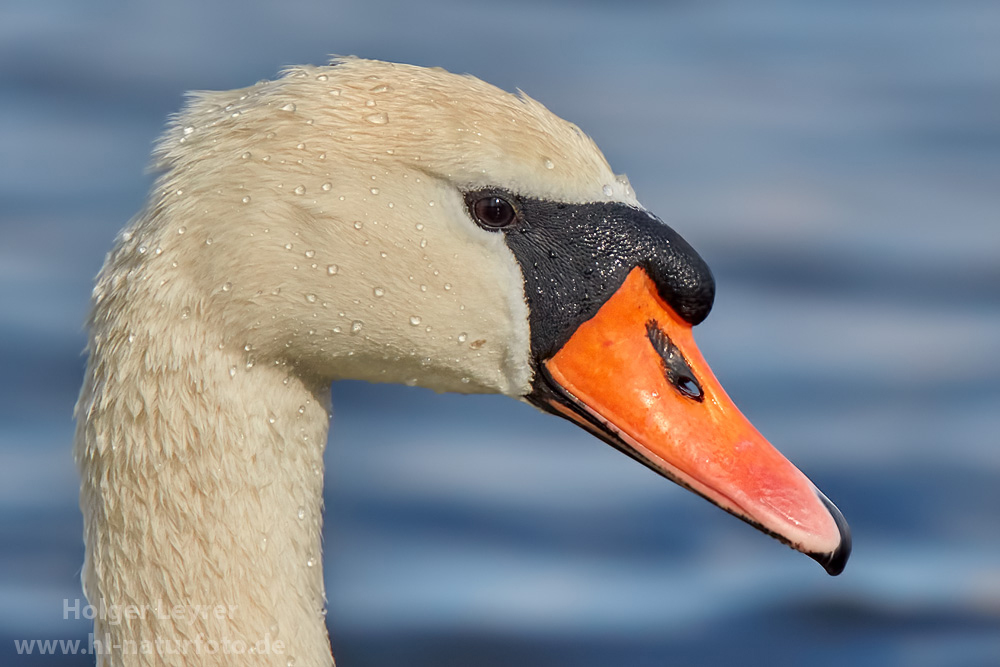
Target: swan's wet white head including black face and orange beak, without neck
x=399, y=224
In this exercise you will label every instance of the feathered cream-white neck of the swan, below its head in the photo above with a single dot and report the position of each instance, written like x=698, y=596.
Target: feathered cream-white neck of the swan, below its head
x=202, y=499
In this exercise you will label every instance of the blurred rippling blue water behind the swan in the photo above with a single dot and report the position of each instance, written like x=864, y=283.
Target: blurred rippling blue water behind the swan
x=836, y=163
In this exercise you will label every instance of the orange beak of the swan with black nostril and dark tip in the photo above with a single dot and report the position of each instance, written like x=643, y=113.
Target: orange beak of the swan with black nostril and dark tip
x=633, y=376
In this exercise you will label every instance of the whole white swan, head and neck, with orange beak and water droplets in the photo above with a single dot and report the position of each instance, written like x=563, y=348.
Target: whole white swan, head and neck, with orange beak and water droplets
x=387, y=223
